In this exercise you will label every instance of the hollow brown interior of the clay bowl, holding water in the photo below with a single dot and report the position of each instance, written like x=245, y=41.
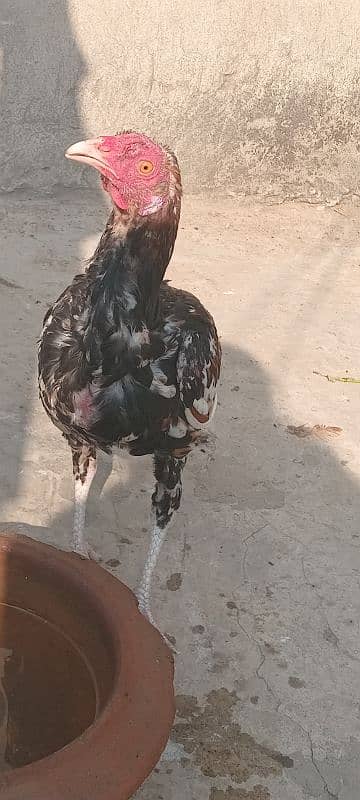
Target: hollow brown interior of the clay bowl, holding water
x=56, y=666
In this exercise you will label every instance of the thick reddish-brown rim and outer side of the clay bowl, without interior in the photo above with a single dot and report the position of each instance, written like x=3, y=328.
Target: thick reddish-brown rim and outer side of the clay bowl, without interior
x=111, y=758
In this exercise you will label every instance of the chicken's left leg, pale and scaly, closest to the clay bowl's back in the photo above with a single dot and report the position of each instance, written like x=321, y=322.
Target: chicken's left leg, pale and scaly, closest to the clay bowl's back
x=84, y=468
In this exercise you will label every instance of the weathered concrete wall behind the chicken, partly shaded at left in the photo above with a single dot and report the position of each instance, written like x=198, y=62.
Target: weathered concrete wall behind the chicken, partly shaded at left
x=255, y=96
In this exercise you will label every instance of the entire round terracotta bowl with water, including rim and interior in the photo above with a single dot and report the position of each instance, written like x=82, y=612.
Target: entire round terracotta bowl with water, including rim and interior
x=78, y=666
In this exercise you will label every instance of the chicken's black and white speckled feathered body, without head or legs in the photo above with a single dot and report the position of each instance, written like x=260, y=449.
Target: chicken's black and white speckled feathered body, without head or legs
x=124, y=358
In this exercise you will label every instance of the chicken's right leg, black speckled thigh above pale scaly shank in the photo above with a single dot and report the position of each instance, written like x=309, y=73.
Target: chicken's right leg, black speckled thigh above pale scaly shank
x=165, y=500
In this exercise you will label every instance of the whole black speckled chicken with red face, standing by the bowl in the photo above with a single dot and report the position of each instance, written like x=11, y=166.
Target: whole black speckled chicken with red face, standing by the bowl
x=124, y=358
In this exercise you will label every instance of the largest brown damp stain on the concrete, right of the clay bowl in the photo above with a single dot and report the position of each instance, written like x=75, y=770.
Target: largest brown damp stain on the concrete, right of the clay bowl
x=218, y=745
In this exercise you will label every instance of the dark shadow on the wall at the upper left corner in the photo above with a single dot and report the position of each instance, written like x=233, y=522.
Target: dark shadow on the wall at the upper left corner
x=39, y=82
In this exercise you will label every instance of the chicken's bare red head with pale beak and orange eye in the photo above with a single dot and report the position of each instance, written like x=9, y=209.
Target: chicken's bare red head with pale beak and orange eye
x=133, y=169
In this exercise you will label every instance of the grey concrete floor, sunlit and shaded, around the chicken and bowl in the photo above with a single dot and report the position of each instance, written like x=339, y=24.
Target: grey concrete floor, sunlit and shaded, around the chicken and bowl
x=259, y=580
